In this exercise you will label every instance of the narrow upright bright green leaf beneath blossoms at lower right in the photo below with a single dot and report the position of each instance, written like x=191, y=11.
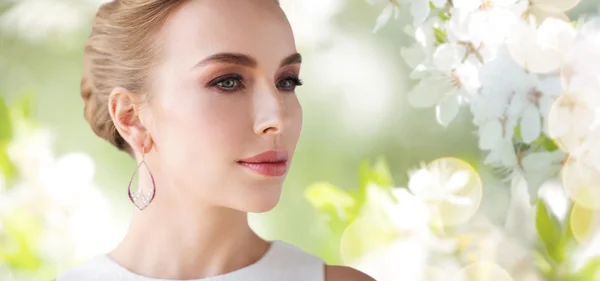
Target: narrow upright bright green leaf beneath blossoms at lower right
x=549, y=230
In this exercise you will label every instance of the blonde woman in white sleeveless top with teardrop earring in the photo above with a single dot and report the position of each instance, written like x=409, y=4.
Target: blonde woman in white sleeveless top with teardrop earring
x=202, y=94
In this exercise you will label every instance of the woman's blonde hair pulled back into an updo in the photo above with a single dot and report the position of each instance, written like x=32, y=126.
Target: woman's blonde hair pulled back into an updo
x=120, y=52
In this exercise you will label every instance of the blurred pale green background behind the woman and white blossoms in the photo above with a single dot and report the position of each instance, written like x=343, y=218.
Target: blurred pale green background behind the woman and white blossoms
x=353, y=98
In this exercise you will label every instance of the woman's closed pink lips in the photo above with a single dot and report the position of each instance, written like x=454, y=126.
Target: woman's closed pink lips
x=270, y=163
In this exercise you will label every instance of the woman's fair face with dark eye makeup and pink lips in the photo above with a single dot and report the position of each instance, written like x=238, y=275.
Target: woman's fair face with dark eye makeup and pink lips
x=225, y=92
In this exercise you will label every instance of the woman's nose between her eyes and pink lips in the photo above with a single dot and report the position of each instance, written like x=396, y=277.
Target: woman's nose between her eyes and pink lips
x=269, y=109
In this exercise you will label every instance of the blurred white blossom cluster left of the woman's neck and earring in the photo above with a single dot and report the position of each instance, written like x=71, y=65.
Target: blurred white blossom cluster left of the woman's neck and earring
x=60, y=193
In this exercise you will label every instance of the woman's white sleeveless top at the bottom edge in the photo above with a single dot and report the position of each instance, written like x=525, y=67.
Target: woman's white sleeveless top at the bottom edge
x=282, y=262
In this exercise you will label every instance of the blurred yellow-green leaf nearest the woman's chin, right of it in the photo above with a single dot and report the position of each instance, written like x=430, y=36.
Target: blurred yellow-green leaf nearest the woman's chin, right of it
x=332, y=200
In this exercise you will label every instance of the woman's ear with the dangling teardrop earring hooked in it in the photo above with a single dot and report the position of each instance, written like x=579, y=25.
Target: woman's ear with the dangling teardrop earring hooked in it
x=124, y=108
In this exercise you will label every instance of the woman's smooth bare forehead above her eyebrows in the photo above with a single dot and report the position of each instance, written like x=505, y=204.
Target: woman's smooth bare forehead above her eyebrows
x=200, y=28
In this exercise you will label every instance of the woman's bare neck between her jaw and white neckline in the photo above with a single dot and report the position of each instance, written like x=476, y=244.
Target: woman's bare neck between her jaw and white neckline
x=176, y=241
